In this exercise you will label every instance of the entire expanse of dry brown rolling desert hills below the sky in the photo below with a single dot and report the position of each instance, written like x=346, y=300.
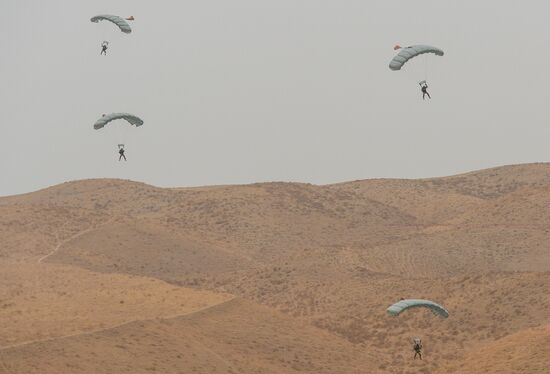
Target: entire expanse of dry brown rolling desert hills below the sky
x=115, y=276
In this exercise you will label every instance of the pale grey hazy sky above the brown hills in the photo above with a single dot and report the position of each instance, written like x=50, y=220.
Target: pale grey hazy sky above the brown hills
x=251, y=90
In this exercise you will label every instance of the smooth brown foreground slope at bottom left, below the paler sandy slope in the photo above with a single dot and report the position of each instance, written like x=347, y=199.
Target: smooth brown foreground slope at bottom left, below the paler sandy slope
x=231, y=337
